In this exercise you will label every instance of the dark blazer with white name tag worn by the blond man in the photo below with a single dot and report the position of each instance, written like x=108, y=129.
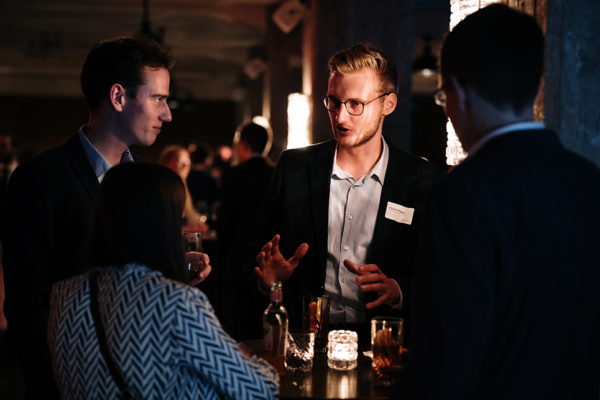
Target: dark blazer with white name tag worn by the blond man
x=296, y=207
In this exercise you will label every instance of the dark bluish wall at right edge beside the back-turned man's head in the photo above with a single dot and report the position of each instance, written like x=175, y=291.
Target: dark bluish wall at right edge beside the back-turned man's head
x=572, y=70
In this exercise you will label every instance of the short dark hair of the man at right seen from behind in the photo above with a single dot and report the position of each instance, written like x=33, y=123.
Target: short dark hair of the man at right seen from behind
x=499, y=53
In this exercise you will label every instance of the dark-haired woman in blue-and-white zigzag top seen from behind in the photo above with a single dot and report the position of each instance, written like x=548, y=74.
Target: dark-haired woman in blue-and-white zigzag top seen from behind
x=160, y=332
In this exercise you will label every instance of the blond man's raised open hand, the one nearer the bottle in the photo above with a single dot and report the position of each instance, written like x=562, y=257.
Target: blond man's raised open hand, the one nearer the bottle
x=272, y=266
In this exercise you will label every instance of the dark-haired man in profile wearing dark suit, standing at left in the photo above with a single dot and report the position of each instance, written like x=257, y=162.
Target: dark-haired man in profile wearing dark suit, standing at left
x=125, y=82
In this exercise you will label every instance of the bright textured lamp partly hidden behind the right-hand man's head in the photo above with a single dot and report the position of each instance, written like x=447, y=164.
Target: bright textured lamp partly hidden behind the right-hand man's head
x=459, y=9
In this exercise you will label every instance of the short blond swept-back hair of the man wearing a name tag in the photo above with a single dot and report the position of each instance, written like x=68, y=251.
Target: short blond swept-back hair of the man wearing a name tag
x=365, y=55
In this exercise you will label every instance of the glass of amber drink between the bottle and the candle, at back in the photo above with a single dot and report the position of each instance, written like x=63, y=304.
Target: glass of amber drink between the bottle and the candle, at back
x=315, y=318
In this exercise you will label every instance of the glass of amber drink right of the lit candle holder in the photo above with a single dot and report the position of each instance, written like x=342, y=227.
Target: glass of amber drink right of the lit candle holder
x=386, y=345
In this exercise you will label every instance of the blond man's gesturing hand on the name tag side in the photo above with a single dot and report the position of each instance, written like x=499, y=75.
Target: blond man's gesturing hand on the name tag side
x=371, y=279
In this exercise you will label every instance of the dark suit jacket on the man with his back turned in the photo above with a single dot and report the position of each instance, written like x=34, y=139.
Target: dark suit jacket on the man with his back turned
x=507, y=298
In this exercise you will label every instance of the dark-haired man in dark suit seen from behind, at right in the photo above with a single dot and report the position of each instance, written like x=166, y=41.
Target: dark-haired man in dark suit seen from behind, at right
x=507, y=304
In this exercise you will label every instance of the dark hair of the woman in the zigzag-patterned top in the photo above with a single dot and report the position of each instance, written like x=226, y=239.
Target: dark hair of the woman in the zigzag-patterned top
x=138, y=219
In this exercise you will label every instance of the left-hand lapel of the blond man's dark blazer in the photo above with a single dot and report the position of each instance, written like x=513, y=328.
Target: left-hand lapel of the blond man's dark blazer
x=319, y=178
